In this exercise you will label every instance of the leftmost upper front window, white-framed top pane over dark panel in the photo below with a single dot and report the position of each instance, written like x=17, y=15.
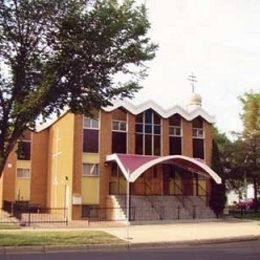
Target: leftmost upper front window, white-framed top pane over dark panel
x=91, y=135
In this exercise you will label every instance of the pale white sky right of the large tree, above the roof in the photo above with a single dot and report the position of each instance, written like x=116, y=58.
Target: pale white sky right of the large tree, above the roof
x=217, y=40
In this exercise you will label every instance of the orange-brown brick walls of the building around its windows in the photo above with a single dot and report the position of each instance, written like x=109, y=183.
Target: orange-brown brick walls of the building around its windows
x=43, y=165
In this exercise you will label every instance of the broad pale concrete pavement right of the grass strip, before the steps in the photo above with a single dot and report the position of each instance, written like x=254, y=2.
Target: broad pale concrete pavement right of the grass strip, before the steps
x=187, y=232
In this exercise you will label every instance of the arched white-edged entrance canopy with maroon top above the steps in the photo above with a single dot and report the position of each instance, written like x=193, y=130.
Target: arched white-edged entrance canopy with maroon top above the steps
x=133, y=166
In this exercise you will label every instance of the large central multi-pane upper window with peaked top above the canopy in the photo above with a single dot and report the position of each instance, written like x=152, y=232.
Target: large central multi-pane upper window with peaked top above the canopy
x=148, y=133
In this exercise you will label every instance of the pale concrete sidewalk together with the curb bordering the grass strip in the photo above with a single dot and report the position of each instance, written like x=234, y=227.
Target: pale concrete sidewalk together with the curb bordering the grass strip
x=156, y=235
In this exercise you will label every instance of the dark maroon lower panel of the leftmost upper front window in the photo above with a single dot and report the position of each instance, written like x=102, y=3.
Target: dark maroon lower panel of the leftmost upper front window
x=90, y=141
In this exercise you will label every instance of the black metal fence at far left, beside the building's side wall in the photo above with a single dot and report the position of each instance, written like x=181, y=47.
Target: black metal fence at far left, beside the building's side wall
x=27, y=214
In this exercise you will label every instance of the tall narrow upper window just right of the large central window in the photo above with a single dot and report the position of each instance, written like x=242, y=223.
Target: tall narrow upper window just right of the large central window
x=175, y=135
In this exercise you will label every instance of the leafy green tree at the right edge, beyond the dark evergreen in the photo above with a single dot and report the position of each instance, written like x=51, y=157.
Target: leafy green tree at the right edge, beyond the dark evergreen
x=244, y=156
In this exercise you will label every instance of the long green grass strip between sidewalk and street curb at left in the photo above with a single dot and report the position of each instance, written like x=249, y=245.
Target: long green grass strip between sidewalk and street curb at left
x=58, y=238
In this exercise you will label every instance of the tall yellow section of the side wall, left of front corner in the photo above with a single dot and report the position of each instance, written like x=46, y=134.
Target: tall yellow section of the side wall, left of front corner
x=60, y=170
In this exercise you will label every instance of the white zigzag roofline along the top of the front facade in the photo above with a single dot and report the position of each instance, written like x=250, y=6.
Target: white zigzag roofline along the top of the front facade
x=165, y=113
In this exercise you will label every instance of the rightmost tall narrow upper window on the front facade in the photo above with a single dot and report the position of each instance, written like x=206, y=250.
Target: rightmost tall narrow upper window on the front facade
x=198, y=138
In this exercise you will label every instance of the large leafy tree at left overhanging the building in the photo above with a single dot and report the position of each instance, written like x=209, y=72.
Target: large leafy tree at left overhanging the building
x=66, y=54
